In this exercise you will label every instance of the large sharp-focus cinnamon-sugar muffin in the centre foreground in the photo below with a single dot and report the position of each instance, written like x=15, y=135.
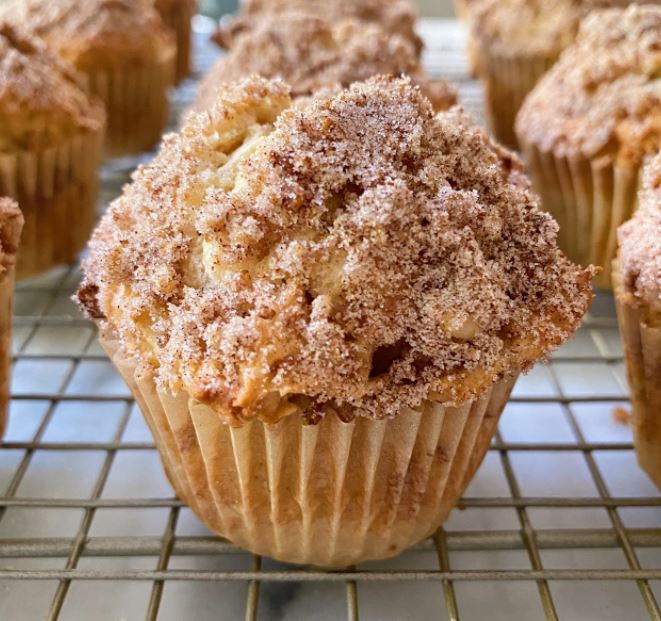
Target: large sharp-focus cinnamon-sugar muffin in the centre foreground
x=322, y=311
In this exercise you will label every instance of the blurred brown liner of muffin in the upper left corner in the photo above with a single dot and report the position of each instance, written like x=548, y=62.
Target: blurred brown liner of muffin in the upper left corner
x=136, y=100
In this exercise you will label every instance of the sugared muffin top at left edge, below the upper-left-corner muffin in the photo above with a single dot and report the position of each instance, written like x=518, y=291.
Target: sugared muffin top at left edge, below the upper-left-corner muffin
x=41, y=99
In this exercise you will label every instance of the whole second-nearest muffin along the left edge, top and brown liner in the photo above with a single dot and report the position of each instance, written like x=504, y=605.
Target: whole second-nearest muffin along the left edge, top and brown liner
x=51, y=134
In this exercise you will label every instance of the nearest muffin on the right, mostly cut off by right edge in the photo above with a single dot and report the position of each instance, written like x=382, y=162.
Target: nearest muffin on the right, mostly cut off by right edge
x=637, y=282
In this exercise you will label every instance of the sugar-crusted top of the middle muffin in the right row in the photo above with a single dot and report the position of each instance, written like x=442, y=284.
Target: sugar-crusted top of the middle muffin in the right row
x=603, y=97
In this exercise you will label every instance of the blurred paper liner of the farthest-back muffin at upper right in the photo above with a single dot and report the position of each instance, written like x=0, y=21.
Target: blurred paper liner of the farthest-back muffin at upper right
x=507, y=81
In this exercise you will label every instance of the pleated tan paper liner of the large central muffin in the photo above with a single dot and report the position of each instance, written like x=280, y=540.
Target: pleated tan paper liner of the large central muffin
x=332, y=494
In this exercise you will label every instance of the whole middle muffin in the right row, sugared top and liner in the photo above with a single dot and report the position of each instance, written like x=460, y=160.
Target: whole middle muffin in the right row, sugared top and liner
x=587, y=126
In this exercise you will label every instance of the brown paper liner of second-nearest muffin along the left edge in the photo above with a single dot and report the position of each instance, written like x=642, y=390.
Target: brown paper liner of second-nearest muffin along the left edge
x=56, y=189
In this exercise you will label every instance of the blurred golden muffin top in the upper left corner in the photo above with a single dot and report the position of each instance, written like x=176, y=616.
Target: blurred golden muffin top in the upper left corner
x=95, y=35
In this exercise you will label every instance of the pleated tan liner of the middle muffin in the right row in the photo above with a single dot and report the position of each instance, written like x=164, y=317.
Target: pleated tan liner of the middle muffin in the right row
x=590, y=199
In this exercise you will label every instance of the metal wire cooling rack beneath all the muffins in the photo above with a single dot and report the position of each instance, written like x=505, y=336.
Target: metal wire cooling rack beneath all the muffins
x=559, y=523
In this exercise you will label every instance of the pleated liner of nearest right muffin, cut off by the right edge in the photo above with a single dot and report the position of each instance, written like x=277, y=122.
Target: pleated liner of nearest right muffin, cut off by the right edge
x=642, y=351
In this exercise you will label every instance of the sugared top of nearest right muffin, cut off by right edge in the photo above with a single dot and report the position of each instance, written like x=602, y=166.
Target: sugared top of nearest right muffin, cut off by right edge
x=640, y=244
